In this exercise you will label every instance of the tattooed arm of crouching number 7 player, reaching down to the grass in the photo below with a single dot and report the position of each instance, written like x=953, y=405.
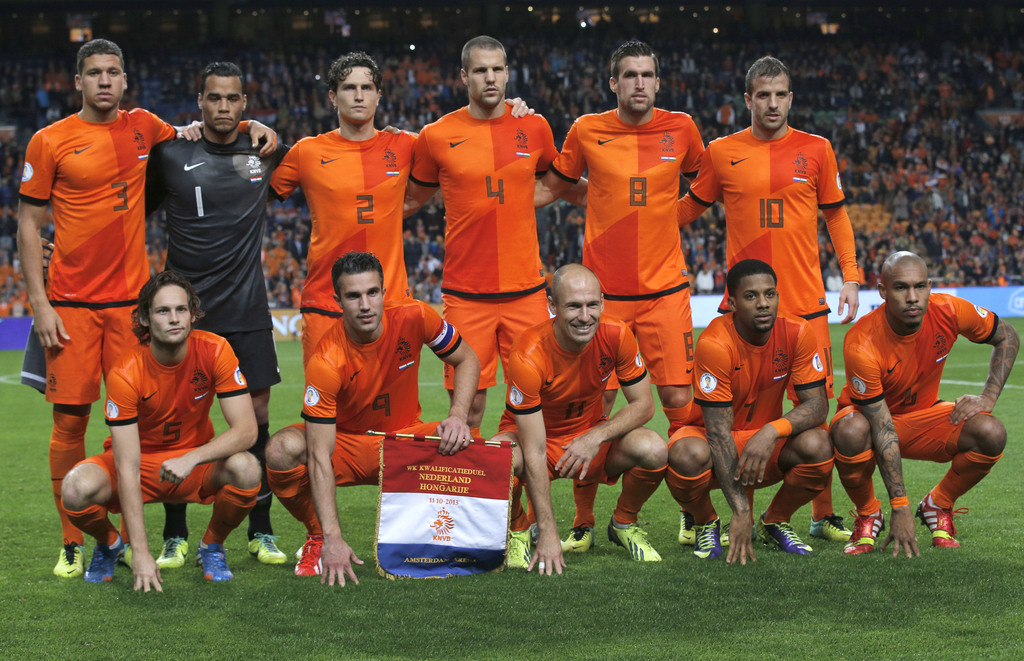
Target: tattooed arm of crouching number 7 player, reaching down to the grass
x=718, y=423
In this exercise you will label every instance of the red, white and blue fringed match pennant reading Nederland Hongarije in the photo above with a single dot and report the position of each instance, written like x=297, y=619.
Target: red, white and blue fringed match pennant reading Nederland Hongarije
x=442, y=516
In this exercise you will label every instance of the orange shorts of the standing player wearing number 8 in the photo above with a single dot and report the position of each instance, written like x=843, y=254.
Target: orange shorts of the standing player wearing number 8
x=664, y=329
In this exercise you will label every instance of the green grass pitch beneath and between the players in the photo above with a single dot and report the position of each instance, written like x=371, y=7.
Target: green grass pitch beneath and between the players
x=949, y=603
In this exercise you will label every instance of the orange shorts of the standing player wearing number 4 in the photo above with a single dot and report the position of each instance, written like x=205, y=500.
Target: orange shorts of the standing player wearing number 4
x=490, y=327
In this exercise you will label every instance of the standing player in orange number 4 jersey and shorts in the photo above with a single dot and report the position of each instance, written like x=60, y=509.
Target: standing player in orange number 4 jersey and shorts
x=485, y=160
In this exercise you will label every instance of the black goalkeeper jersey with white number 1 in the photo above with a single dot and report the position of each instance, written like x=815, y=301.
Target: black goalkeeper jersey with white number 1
x=216, y=197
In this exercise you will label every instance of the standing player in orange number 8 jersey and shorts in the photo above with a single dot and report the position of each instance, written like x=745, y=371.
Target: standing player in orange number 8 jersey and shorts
x=635, y=157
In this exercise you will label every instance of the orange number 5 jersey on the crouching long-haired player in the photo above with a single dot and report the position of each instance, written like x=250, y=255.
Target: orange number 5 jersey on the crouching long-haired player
x=172, y=404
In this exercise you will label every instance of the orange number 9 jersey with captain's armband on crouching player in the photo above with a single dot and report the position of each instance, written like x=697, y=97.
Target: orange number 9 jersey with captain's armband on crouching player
x=375, y=386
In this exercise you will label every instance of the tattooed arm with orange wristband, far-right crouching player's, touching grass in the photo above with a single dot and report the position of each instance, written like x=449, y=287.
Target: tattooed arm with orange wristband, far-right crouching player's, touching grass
x=886, y=447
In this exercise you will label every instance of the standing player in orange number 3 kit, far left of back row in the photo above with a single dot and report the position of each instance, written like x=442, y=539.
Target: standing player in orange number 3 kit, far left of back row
x=91, y=169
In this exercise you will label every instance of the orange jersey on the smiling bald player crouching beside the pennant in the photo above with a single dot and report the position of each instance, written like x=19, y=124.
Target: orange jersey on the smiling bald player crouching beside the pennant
x=567, y=386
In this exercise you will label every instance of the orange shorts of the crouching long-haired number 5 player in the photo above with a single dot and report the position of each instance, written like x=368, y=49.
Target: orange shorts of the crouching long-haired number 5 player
x=198, y=488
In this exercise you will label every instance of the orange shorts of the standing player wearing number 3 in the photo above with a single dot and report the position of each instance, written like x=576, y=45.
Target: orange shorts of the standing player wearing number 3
x=99, y=337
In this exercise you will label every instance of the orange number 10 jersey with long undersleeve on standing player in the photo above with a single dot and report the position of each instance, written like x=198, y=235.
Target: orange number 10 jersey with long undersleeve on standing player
x=773, y=191
